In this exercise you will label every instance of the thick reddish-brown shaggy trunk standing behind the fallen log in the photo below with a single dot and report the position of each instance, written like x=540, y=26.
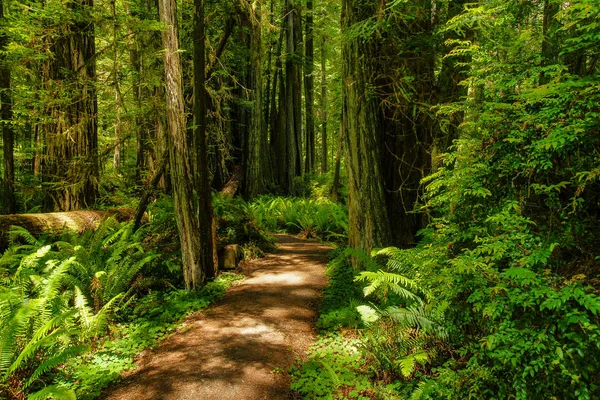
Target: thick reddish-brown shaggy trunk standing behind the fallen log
x=70, y=171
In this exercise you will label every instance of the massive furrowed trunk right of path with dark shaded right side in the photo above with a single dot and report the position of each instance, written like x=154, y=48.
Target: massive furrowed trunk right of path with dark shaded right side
x=387, y=95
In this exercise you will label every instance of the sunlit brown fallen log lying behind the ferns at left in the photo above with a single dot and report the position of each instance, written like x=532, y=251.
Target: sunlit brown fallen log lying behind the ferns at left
x=59, y=222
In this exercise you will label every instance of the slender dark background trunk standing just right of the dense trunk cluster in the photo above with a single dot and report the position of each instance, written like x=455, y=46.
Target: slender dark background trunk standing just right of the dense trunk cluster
x=309, y=89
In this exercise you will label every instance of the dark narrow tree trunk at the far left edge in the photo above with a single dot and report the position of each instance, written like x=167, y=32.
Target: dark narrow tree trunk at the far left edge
x=6, y=122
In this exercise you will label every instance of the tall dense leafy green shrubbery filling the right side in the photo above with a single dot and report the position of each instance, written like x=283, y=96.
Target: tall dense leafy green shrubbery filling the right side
x=512, y=247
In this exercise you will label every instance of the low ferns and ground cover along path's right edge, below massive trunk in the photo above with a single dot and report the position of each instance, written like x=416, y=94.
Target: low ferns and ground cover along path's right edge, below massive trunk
x=398, y=330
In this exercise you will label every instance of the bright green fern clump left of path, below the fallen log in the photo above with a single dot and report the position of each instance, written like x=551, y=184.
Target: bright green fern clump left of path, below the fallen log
x=46, y=292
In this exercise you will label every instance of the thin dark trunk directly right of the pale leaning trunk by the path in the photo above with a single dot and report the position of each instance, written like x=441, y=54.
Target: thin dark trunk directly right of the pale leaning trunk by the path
x=207, y=250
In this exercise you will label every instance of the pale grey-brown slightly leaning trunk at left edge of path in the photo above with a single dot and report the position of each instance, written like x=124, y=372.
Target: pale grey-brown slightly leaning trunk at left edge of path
x=179, y=153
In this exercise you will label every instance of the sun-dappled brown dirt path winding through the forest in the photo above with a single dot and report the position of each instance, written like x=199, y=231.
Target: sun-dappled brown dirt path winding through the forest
x=242, y=347
